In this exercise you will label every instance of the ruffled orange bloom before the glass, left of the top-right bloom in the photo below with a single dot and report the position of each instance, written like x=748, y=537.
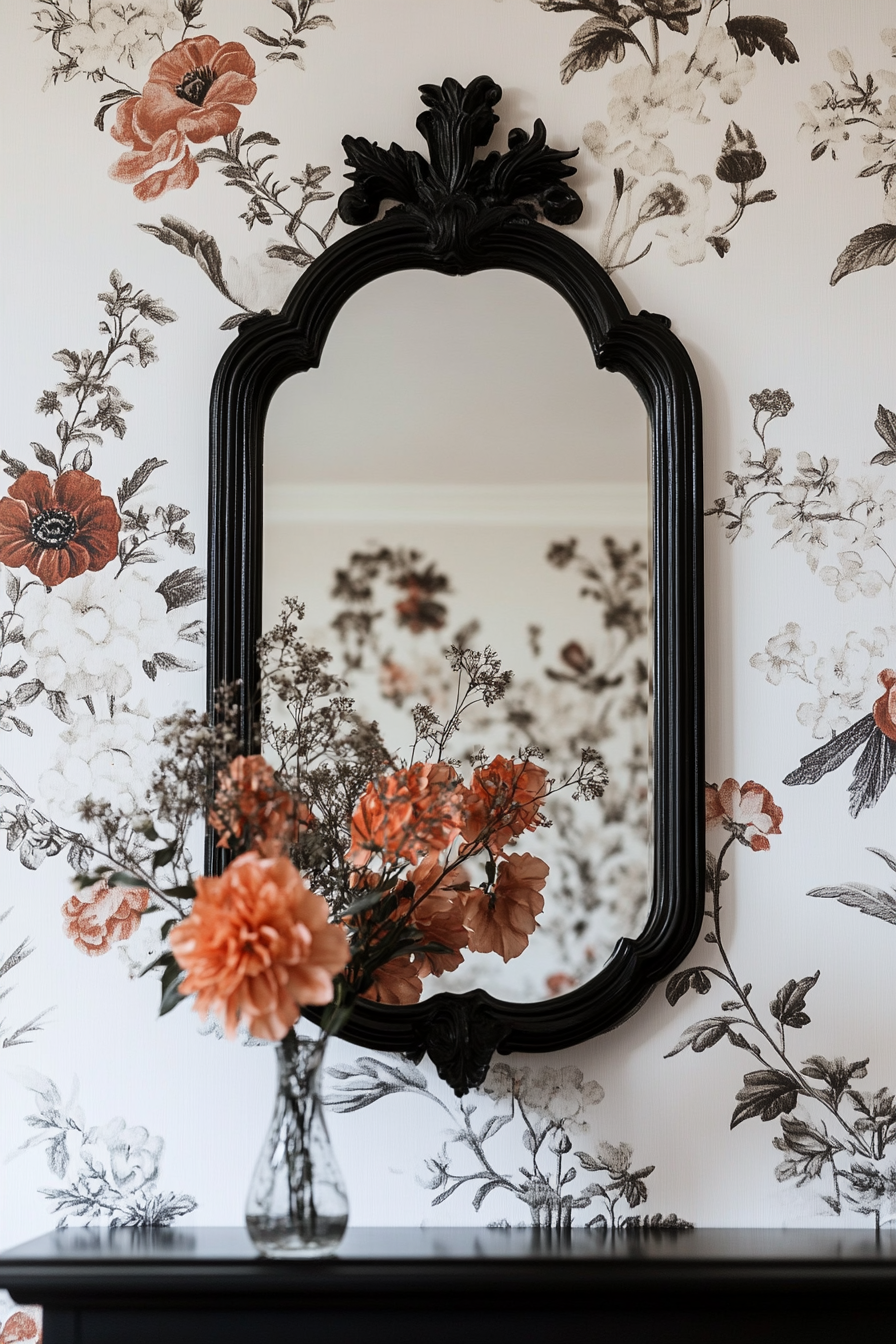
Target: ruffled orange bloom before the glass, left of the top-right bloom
x=408, y=815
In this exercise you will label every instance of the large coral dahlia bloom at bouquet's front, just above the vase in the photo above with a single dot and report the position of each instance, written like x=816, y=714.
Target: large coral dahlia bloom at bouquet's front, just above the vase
x=259, y=946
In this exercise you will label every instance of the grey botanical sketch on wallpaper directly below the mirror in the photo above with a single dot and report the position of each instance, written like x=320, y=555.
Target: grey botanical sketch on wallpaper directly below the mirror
x=559, y=1186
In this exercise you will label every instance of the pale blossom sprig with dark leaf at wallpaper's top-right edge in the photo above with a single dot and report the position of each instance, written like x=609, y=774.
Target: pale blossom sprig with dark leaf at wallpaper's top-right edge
x=858, y=108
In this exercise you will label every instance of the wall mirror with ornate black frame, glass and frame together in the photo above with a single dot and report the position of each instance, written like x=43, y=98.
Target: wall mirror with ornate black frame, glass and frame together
x=425, y=419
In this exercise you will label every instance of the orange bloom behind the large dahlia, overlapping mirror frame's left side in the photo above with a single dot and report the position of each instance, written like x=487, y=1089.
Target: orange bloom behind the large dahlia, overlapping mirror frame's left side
x=253, y=812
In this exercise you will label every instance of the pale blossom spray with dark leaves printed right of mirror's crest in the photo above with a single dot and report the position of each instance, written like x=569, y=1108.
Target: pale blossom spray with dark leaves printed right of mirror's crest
x=652, y=197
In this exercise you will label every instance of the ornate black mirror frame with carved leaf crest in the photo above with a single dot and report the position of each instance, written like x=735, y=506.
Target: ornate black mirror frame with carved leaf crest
x=456, y=216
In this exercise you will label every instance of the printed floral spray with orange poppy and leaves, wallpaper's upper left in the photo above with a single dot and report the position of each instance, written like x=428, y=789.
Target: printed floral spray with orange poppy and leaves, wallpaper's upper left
x=195, y=92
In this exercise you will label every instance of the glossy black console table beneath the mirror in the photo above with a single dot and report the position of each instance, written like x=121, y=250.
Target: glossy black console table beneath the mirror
x=460, y=1287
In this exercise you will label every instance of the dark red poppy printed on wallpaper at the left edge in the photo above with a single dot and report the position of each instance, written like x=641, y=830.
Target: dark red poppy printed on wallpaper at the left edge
x=58, y=530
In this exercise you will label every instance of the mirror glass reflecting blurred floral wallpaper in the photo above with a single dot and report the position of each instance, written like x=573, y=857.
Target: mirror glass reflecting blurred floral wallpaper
x=457, y=472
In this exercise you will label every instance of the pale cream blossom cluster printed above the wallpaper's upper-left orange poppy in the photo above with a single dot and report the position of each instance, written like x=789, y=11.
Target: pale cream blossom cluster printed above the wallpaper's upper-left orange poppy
x=122, y=32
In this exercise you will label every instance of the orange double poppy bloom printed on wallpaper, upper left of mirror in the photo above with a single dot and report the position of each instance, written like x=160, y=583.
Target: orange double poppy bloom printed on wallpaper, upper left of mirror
x=194, y=93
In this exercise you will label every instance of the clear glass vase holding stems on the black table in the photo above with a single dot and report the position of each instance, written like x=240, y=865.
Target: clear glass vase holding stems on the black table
x=298, y=1205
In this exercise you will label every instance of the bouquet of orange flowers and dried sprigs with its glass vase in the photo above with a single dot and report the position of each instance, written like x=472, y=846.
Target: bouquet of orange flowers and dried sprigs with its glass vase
x=350, y=873
